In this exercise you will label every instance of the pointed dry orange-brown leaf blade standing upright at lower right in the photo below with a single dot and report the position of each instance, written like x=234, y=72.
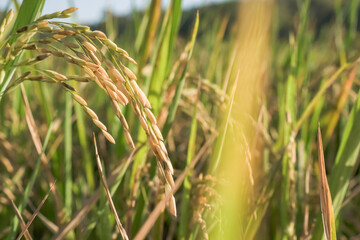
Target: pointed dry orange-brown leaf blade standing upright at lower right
x=325, y=196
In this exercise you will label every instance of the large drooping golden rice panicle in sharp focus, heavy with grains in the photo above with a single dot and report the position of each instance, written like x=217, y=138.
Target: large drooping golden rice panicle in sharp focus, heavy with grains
x=117, y=81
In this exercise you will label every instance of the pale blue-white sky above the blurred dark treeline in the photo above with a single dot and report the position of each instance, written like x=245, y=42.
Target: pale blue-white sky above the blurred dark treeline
x=91, y=11
